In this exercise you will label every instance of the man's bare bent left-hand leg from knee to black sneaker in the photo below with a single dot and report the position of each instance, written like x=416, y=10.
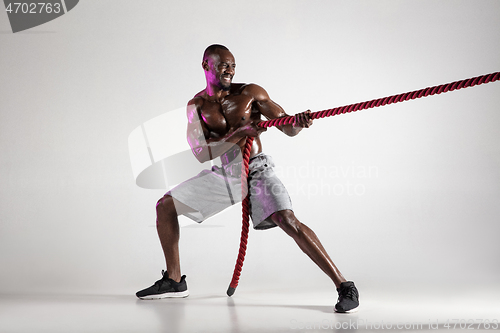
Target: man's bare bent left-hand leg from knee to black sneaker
x=167, y=226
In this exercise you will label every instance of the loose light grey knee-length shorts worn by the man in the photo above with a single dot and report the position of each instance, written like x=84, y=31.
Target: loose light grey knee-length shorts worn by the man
x=212, y=191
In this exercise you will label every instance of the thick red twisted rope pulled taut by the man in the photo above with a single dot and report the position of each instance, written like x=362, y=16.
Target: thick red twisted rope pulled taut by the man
x=332, y=112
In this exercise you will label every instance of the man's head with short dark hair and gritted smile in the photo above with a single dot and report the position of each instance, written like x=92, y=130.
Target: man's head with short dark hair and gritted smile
x=219, y=66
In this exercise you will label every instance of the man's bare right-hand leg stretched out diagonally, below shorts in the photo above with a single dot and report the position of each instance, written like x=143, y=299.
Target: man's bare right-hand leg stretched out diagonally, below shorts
x=308, y=242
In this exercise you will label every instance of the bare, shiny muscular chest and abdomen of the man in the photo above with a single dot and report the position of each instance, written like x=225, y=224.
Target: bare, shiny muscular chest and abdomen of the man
x=229, y=113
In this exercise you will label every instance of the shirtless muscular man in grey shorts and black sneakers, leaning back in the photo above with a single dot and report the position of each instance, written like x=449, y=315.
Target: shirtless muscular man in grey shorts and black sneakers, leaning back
x=220, y=118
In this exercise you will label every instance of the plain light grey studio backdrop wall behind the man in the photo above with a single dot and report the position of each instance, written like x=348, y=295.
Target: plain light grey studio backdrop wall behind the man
x=407, y=193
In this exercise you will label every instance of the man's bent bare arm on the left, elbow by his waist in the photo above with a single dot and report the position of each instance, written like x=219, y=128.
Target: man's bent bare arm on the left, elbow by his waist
x=206, y=146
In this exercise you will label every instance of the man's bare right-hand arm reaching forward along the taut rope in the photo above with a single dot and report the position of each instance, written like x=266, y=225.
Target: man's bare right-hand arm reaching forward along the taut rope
x=272, y=110
